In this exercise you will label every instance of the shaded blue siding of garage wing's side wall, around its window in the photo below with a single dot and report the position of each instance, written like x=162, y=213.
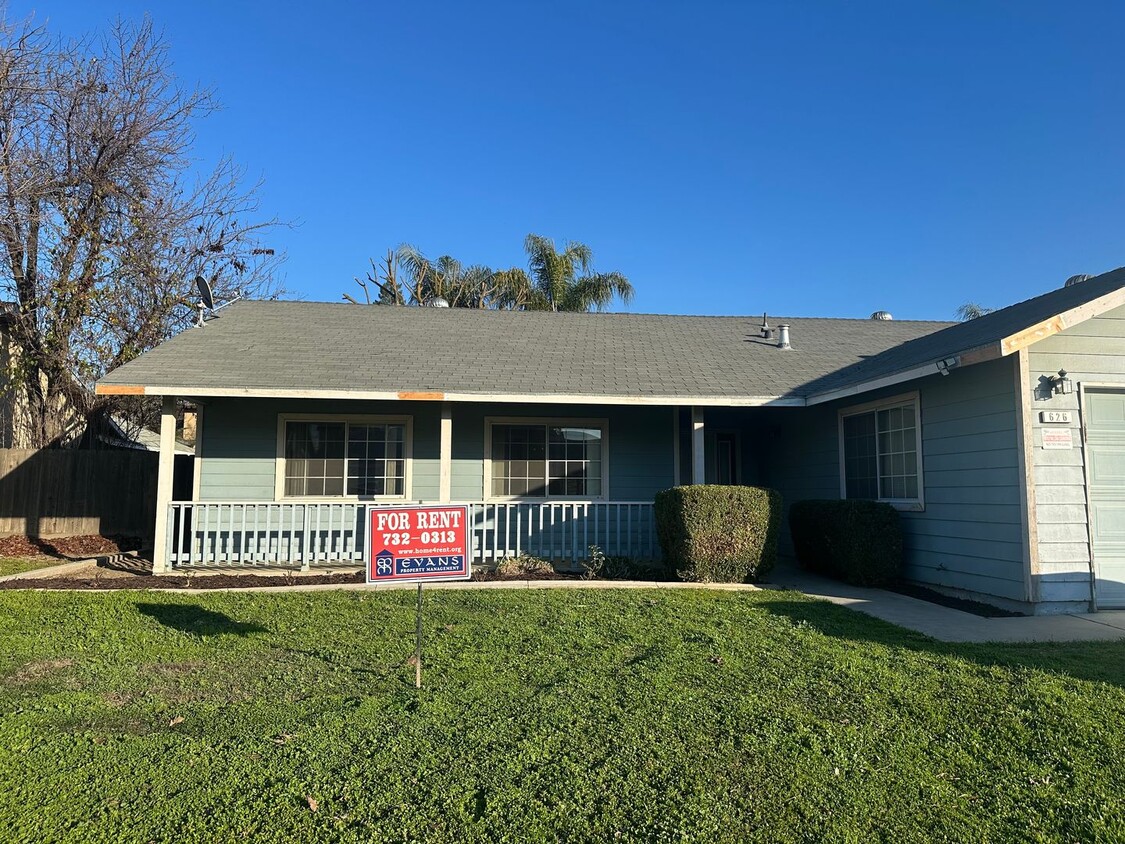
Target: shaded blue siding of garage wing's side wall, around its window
x=969, y=536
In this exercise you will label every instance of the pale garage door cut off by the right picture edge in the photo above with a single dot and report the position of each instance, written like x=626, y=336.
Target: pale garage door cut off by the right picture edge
x=1105, y=447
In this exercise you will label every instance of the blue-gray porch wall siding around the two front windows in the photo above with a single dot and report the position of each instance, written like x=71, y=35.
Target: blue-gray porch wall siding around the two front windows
x=239, y=445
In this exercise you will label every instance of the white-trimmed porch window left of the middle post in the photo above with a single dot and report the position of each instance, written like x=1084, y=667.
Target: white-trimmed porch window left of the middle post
x=346, y=459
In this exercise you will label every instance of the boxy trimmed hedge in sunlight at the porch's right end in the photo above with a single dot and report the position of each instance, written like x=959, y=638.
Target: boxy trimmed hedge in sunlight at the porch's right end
x=717, y=534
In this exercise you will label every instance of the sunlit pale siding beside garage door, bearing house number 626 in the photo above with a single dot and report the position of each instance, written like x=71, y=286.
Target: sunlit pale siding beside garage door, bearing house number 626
x=1092, y=353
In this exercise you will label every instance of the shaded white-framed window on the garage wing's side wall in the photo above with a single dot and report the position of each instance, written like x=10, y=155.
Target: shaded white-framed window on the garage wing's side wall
x=881, y=453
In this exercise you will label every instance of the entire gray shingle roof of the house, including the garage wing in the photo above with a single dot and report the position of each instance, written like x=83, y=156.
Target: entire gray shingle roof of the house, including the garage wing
x=339, y=351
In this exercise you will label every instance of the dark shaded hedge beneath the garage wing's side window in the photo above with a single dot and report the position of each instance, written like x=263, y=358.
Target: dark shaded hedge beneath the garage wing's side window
x=859, y=542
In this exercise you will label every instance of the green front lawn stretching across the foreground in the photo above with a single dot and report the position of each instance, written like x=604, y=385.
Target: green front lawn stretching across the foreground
x=632, y=716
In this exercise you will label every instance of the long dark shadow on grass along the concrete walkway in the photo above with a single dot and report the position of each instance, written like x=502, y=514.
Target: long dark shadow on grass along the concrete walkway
x=1088, y=661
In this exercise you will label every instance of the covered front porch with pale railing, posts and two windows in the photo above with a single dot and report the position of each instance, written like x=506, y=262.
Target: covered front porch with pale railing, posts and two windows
x=446, y=452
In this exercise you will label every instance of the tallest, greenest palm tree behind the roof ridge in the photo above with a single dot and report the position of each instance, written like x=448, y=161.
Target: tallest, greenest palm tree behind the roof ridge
x=563, y=281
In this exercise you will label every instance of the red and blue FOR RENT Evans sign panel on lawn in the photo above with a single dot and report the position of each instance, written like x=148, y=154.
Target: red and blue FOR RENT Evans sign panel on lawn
x=418, y=544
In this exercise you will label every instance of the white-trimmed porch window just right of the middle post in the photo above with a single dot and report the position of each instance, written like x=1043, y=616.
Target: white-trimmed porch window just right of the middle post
x=547, y=460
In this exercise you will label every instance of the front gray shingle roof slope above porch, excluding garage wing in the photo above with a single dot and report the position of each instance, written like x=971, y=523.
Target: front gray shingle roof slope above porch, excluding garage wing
x=281, y=346
